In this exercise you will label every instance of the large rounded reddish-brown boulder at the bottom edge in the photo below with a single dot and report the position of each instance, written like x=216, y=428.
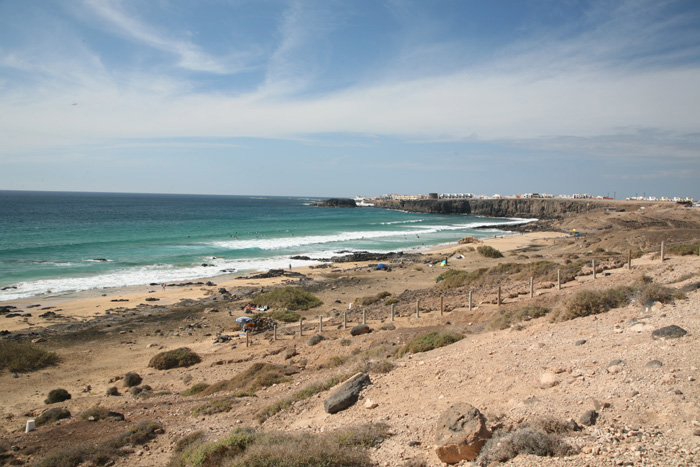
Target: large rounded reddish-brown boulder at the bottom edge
x=460, y=434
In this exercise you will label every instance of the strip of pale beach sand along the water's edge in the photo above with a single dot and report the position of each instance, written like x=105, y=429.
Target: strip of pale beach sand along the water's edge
x=89, y=304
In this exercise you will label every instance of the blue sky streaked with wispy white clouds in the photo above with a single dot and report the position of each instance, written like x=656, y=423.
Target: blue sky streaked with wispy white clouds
x=339, y=98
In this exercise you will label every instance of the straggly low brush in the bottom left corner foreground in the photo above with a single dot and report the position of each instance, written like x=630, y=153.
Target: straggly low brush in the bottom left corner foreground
x=103, y=454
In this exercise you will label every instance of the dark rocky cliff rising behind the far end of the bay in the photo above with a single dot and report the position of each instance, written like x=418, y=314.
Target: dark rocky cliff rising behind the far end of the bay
x=527, y=208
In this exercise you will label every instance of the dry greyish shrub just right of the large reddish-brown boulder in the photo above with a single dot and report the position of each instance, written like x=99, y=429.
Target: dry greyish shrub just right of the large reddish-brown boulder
x=503, y=447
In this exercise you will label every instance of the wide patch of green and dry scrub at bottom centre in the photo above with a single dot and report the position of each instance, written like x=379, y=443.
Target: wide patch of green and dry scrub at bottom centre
x=246, y=447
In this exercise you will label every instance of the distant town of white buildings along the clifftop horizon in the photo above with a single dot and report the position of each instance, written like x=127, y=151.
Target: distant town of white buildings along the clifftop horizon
x=366, y=201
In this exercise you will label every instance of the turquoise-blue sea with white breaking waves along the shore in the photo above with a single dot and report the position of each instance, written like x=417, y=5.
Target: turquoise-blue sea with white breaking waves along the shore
x=57, y=243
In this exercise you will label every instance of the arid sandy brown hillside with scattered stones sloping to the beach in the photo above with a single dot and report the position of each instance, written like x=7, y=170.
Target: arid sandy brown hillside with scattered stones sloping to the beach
x=516, y=372
